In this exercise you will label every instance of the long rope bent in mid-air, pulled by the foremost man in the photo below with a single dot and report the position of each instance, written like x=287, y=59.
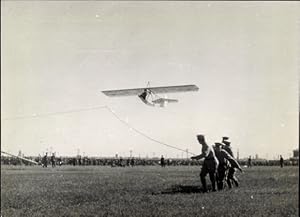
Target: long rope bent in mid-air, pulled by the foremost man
x=96, y=108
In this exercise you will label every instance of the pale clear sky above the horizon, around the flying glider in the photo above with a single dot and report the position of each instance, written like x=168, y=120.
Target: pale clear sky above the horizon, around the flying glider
x=59, y=56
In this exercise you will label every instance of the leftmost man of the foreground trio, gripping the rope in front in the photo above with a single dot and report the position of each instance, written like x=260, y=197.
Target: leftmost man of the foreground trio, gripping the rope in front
x=210, y=163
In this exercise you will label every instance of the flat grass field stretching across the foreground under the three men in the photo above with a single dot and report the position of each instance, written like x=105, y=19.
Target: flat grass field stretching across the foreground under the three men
x=144, y=191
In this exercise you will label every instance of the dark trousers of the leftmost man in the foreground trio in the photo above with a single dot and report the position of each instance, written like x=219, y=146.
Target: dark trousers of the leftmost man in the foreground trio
x=209, y=166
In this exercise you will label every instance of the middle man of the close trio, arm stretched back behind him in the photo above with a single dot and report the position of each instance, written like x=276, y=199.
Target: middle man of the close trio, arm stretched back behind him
x=225, y=161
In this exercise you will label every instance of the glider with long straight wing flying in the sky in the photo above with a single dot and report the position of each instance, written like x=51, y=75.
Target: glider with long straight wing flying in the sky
x=149, y=94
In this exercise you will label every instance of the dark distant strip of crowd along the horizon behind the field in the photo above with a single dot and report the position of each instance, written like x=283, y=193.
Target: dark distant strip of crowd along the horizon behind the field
x=123, y=162
